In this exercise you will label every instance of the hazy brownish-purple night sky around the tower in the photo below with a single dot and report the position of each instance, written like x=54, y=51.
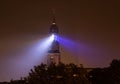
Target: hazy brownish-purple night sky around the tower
x=92, y=25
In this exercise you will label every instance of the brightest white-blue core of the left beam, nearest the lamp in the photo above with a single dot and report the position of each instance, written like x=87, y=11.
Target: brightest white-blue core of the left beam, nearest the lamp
x=40, y=48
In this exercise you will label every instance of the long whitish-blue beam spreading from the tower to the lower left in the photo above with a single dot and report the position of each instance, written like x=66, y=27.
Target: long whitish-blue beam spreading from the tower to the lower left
x=34, y=54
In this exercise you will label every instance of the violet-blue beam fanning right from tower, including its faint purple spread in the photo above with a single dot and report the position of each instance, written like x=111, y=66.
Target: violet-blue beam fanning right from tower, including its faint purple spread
x=78, y=51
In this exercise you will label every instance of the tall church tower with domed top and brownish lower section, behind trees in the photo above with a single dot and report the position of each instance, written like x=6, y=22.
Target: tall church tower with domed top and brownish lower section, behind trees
x=54, y=52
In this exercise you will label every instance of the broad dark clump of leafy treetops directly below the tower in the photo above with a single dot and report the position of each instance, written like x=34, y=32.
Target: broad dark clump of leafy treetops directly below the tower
x=57, y=74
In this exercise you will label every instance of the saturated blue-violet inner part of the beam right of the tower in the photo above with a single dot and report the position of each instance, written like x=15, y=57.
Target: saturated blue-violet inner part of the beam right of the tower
x=72, y=45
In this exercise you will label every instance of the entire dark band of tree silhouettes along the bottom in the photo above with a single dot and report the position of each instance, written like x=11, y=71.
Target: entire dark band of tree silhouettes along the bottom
x=71, y=74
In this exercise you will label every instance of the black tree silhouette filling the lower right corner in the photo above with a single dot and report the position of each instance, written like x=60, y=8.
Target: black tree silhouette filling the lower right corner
x=109, y=75
